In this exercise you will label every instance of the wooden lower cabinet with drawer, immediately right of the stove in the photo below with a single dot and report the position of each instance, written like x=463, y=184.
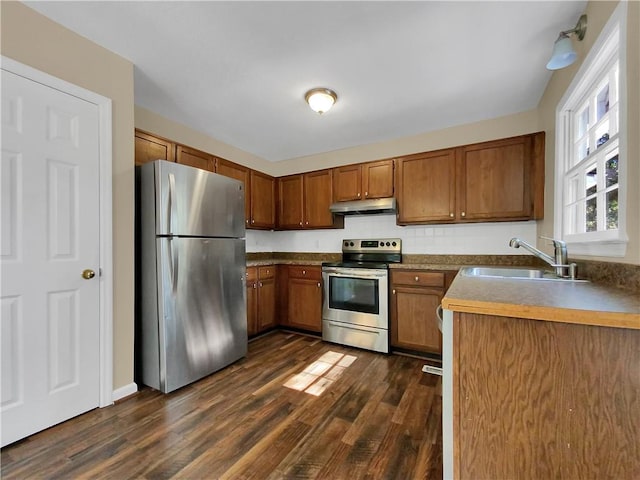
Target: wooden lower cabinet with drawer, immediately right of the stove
x=415, y=295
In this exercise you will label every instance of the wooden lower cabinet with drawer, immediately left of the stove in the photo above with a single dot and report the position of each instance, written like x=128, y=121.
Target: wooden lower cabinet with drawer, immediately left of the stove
x=304, y=298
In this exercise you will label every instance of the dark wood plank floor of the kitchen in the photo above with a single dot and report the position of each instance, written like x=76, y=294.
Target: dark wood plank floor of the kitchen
x=377, y=418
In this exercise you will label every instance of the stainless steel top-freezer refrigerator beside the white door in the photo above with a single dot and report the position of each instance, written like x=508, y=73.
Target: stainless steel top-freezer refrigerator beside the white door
x=192, y=311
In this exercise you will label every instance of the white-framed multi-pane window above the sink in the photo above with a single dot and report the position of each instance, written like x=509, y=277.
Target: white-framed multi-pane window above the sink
x=590, y=150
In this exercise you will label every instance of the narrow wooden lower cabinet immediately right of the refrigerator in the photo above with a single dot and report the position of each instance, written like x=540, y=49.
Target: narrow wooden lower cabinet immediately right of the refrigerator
x=261, y=299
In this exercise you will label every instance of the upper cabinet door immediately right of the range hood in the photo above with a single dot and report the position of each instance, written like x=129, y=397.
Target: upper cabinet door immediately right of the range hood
x=426, y=187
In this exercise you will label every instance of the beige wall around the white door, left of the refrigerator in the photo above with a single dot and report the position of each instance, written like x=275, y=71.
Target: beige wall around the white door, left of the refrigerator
x=34, y=40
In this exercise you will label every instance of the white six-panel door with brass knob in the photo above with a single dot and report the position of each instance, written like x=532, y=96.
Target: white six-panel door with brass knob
x=50, y=324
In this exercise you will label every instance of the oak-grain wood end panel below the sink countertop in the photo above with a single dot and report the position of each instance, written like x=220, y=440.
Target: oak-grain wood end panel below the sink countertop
x=540, y=399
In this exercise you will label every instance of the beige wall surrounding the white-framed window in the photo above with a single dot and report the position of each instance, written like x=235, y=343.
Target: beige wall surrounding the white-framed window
x=598, y=13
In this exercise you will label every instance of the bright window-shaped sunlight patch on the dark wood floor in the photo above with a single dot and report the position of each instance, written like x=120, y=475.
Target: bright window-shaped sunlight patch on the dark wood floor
x=320, y=374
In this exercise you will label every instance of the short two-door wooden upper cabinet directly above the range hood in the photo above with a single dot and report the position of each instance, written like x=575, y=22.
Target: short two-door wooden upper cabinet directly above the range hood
x=362, y=181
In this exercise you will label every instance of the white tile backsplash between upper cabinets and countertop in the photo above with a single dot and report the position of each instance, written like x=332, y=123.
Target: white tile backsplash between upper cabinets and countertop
x=457, y=239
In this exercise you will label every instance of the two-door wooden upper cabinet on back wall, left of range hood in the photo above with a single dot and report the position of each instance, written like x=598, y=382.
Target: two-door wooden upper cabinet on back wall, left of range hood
x=304, y=201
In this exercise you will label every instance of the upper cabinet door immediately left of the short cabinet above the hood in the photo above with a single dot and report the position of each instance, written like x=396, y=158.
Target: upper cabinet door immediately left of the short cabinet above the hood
x=317, y=199
